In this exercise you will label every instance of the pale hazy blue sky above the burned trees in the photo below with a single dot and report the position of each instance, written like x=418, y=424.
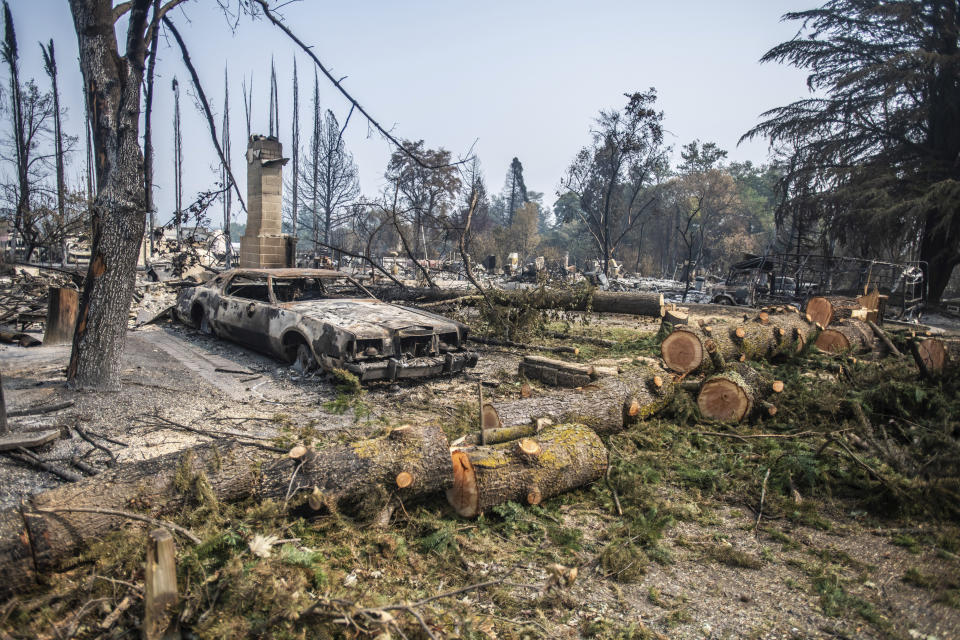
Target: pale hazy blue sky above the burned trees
x=521, y=79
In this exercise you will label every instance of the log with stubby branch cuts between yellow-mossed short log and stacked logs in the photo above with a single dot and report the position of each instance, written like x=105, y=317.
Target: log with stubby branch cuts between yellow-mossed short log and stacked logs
x=607, y=405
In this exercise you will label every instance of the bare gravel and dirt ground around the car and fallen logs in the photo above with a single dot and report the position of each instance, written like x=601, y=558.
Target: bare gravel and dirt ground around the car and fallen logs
x=719, y=578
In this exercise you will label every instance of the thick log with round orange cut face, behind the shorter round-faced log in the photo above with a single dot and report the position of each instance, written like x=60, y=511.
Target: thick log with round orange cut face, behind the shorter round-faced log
x=765, y=337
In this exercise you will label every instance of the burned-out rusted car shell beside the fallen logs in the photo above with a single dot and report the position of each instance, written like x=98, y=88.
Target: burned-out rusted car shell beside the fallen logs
x=325, y=318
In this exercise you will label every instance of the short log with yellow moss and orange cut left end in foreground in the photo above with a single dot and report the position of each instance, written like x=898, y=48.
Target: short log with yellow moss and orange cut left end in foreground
x=527, y=471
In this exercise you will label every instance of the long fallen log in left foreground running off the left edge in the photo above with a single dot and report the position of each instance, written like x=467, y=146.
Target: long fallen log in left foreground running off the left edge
x=412, y=462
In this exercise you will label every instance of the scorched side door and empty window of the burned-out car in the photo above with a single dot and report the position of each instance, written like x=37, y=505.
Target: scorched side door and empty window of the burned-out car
x=245, y=308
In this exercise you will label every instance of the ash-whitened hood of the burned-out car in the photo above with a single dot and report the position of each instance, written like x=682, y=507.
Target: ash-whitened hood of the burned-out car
x=371, y=318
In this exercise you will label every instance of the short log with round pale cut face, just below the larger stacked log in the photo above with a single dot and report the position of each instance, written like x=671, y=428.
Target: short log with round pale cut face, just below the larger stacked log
x=736, y=394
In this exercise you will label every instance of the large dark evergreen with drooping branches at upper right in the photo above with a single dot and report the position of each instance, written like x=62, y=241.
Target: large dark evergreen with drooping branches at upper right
x=877, y=146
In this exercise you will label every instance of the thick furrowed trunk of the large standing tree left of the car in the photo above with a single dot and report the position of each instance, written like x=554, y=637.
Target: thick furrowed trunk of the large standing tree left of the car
x=112, y=83
